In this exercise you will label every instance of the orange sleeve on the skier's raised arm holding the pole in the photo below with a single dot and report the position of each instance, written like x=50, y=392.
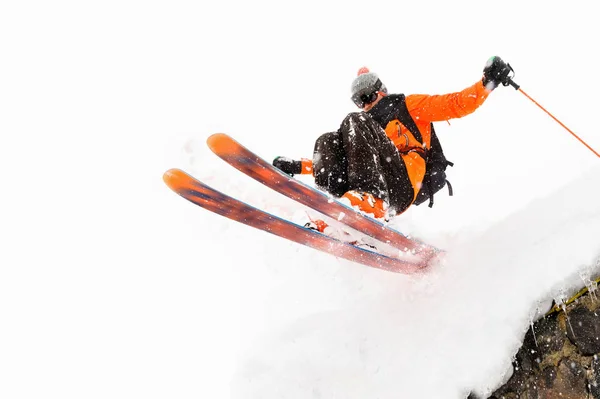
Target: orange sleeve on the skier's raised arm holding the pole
x=435, y=108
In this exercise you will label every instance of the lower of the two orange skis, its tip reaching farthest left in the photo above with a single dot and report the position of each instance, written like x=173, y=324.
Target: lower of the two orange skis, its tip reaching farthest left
x=215, y=201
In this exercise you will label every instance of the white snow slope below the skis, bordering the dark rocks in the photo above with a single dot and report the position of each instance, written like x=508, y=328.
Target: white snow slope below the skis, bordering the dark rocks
x=439, y=335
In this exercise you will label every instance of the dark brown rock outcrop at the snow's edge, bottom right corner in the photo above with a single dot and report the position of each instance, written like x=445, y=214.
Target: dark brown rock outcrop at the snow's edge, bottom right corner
x=560, y=356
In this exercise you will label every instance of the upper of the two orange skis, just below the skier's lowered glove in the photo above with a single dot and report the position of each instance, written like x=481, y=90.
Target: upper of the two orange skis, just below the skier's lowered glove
x=254, y=166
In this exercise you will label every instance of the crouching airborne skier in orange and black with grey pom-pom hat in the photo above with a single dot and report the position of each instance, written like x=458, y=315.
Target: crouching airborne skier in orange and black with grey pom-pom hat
x=378, y=158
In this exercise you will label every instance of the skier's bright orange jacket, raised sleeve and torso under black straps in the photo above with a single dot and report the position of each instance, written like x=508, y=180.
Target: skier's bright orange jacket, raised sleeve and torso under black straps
x=425, y=109
